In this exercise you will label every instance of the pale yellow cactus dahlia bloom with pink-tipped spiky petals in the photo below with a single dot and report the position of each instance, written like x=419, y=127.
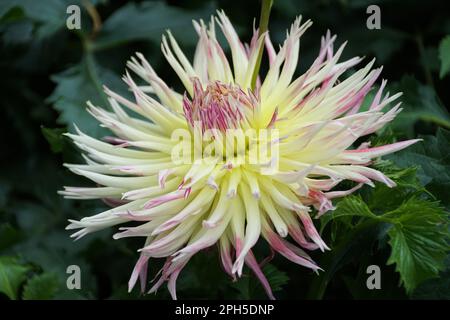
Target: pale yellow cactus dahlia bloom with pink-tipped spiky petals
x=182, y=208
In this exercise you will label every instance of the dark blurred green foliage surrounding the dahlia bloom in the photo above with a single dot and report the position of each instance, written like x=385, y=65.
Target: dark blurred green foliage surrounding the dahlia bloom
x=48, y=73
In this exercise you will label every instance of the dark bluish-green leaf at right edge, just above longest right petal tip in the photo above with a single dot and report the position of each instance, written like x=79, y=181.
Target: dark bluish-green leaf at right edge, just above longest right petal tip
x=420, y=102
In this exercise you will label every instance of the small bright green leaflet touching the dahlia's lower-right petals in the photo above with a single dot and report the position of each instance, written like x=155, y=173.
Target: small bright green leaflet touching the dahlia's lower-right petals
x=348, y=206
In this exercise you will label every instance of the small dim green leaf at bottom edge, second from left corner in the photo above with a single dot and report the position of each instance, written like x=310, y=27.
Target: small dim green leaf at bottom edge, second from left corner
x=41, y=287
